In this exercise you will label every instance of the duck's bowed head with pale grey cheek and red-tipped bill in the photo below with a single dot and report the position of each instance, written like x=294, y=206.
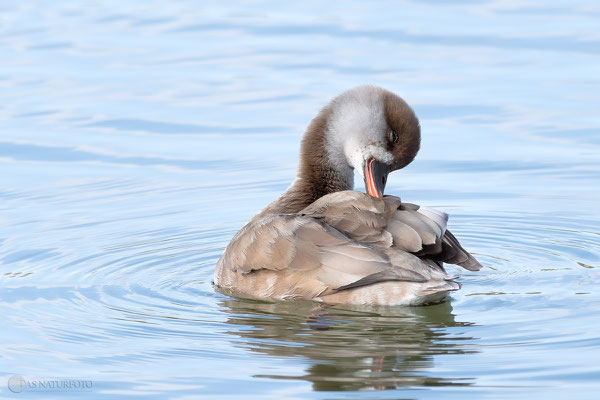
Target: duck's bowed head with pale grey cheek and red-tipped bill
x=367, y=129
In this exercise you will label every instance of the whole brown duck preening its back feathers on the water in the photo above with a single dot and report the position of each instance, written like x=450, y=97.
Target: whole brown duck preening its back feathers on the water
x=325, y=242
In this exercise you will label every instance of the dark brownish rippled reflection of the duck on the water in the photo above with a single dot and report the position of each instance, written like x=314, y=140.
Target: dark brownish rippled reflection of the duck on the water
x=382, y=348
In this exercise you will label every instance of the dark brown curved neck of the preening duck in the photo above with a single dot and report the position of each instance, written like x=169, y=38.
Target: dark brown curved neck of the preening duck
x=317, y=176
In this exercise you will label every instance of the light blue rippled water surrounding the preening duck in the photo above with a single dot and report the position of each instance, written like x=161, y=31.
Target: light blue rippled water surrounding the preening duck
x=137, y=137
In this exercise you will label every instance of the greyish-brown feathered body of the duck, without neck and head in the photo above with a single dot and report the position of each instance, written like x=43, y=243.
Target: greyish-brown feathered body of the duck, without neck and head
x=346, y=247
